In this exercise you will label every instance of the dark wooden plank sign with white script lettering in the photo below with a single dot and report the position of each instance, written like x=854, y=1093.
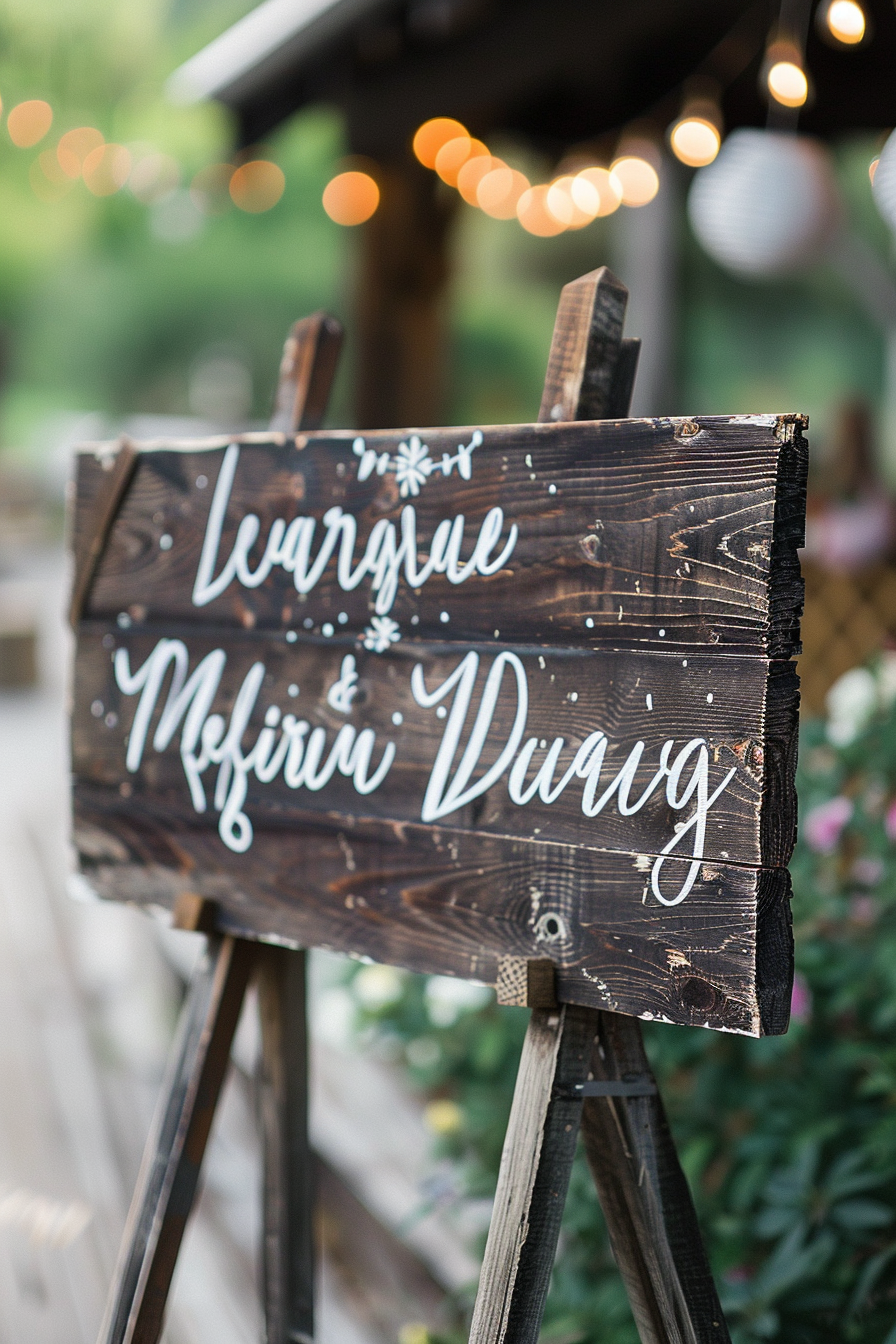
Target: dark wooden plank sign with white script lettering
x=445, y=697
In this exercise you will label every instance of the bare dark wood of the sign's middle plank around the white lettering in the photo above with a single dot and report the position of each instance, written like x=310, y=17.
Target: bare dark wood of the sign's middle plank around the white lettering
x=744, y=709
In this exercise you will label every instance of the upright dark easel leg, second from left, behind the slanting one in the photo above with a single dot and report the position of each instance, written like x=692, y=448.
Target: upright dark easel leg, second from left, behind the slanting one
x=288, y=1252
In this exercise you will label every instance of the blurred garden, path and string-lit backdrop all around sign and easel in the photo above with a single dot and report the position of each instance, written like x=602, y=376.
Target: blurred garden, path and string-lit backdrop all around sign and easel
x=179, y=182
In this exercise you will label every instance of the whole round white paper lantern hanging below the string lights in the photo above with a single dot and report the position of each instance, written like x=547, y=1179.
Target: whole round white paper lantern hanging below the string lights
x=768, y=204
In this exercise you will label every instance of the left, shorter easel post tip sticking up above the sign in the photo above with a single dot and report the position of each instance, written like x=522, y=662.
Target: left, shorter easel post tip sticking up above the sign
x=307, y=373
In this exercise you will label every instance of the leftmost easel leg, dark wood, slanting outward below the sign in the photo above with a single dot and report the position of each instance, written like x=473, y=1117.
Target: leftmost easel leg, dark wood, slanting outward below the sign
x=173, y=1159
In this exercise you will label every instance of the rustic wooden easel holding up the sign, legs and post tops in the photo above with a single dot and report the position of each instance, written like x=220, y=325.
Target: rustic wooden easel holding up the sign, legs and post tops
x=581, y=1068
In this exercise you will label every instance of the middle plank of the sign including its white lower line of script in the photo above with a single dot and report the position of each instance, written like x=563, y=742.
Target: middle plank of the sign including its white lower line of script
x=648, y=708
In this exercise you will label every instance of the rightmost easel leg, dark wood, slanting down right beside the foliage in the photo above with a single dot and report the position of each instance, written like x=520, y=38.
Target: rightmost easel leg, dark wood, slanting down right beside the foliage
x=645, y=1198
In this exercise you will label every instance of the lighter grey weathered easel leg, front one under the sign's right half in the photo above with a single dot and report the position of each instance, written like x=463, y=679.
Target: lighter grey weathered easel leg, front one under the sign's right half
x=535, y=1175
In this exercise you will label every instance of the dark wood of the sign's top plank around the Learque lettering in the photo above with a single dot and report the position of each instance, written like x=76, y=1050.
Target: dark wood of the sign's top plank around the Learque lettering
x=683, y=528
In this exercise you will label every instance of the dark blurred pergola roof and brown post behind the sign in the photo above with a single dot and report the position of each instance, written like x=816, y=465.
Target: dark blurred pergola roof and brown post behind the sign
x=557, y=75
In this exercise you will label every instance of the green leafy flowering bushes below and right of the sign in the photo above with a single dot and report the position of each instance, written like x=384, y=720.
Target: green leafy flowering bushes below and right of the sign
x=789, y=1143
